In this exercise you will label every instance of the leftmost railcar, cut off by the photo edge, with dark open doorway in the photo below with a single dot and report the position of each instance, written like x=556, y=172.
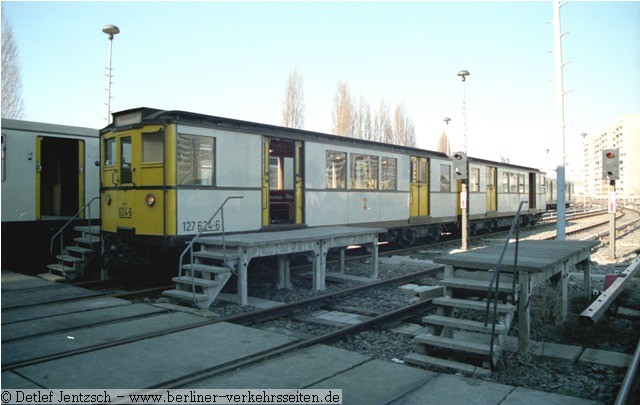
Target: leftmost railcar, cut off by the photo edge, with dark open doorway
x=49, y=174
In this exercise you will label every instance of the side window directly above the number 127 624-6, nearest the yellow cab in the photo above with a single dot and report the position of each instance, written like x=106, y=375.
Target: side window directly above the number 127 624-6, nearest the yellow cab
x=195, y=160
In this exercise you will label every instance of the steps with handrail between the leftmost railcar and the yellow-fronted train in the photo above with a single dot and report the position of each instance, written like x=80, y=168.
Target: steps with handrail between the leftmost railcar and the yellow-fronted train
x=74, y=260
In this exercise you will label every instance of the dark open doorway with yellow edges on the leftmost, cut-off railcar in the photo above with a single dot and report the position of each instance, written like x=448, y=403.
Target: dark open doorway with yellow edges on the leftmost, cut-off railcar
x=59, y=173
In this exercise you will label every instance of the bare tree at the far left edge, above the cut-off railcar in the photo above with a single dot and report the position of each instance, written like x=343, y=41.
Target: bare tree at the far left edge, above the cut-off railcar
x=12, y=105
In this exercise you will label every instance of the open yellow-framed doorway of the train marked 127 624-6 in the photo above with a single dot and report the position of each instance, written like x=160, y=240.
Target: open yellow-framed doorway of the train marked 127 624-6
x=282, y=182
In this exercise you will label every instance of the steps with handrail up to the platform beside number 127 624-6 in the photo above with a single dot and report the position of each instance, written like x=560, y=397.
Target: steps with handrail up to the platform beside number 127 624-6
x=207, y=270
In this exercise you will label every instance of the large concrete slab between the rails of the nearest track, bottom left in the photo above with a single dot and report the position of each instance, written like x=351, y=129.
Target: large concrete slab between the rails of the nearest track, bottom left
x=155, y=361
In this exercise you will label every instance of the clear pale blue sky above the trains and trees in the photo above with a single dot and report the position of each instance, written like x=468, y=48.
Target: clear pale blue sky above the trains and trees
x=232, y=59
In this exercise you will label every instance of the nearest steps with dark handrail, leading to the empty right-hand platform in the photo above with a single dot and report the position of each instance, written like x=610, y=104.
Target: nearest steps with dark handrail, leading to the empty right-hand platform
x=473, y=318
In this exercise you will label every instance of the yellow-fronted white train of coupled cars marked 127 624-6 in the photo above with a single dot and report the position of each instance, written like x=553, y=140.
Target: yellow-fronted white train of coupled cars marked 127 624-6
x=165, y=173
